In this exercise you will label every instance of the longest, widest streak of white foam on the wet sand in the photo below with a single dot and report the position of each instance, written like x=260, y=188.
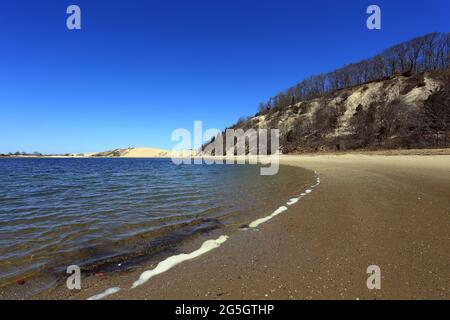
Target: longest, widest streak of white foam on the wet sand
x=171, y=262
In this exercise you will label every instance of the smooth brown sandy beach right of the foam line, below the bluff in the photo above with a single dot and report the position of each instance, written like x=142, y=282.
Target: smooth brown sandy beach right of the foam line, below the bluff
x=391, y=211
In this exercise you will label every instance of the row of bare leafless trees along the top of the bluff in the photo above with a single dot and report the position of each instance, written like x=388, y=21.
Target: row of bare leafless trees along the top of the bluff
x=426, y=53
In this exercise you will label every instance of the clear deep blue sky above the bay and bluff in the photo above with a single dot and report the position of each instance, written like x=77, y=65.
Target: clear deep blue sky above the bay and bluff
x=139, y=69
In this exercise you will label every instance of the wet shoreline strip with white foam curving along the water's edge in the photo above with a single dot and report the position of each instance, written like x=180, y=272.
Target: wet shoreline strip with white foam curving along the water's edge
x=119, y=280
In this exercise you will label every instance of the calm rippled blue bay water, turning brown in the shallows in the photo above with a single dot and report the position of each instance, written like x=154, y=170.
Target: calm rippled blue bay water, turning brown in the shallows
x=91, y=212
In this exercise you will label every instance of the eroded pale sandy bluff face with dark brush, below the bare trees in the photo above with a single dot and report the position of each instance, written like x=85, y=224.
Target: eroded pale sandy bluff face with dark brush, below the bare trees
x=405, y=111
